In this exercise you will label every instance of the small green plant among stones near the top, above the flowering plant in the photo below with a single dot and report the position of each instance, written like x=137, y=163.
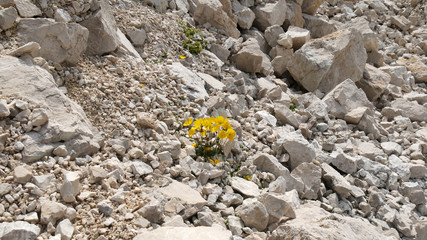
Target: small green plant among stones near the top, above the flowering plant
x=194, y=41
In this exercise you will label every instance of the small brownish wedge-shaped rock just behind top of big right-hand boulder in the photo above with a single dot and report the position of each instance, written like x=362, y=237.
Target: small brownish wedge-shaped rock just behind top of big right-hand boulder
x=317, y=26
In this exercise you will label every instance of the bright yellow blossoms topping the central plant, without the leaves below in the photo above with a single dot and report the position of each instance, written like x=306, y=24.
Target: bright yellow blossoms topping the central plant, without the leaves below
x=211, y=124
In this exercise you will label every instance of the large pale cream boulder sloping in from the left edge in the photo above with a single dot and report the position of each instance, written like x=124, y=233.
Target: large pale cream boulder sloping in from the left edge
x=61, y=121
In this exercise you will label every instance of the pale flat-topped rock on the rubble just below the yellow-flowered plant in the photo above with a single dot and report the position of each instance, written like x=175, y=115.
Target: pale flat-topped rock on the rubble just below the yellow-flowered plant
x=186, y=195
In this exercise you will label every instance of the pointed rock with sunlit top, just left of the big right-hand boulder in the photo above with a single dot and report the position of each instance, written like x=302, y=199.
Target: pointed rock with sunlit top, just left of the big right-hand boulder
x=251, y=59
